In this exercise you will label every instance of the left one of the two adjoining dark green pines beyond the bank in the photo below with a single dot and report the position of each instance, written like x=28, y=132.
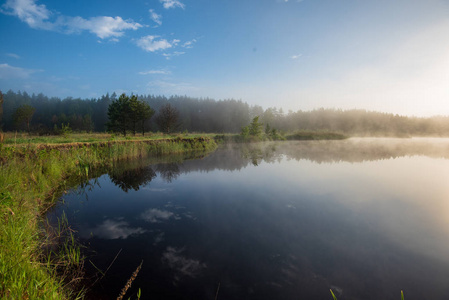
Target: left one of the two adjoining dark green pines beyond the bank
x=119, y=114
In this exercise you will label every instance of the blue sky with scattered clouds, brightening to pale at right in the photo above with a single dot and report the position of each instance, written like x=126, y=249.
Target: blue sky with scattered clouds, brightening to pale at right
x=382, y=55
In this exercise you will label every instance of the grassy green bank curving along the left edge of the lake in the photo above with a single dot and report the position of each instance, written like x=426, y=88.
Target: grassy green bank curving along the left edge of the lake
x=33, y=172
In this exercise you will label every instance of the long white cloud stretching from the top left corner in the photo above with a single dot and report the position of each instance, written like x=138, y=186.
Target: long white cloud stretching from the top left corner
x=37, y=16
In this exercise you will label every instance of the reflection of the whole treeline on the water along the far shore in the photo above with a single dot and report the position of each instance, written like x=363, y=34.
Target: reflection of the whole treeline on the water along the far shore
x=131, y=175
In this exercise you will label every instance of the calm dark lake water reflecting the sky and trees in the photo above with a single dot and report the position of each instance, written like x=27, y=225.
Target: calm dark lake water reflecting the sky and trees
x=366, y=218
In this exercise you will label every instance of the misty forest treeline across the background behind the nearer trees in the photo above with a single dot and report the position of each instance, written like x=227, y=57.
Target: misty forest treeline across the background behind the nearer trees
x=48, y=114
